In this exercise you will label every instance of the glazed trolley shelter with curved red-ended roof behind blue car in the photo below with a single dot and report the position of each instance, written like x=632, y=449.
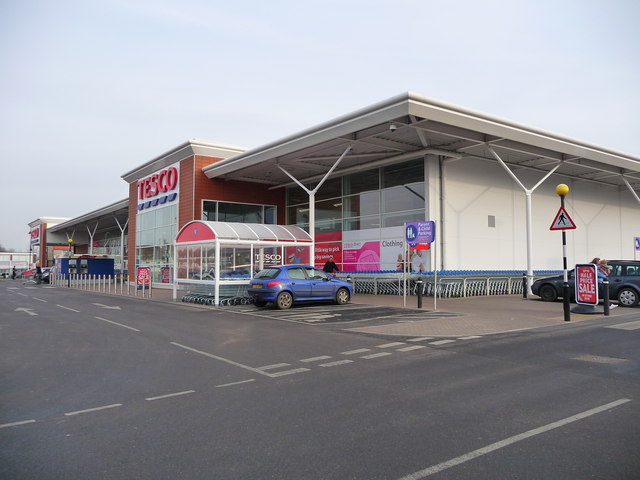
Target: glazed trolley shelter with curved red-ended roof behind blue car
x=219, y=258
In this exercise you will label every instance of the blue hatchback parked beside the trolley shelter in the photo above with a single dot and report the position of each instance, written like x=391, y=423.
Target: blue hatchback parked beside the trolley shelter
x=285, y=285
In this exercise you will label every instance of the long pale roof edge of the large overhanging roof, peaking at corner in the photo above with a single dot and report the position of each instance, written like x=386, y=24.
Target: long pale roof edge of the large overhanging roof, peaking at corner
x=413, y=103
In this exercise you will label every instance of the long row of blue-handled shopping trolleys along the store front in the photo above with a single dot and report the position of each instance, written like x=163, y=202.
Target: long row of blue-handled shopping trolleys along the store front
x=463, y=284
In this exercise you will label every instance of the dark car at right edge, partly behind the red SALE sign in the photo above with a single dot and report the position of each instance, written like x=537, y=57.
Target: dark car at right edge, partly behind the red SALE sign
x=624, y=284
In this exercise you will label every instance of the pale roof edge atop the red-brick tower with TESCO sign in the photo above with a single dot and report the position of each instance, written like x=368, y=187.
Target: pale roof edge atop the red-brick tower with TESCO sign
x=194, y=146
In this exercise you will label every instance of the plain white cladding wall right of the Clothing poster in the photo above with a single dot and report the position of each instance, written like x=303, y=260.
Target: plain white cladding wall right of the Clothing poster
x=607, y=219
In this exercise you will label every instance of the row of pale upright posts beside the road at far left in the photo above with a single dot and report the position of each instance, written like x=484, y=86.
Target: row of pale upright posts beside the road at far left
x=117, y=284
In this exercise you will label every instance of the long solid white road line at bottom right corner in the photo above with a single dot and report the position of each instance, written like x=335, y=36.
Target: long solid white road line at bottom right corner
x=511, y=440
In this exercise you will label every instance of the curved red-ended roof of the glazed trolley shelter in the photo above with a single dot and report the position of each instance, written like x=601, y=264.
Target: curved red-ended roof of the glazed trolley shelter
x=203, y=231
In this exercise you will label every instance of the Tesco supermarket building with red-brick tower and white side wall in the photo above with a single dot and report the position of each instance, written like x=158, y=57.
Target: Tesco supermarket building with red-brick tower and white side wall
x=353, y=183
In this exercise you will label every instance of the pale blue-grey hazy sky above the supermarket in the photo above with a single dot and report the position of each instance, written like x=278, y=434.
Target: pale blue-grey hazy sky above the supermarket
x=90, y=90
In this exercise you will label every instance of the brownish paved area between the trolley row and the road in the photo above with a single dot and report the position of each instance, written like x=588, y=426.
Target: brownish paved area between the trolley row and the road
x=465, y=316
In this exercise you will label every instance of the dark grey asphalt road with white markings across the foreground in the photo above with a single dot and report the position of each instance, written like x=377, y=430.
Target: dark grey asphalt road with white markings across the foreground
x=107, y=387
